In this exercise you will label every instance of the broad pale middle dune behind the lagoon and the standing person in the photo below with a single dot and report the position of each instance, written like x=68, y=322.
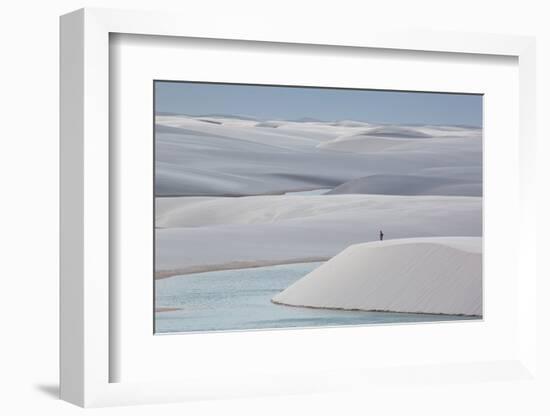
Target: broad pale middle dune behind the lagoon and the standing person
x=208, y=233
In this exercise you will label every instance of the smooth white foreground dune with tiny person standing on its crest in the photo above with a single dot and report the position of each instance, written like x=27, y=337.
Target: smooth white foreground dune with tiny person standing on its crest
x=418, y=275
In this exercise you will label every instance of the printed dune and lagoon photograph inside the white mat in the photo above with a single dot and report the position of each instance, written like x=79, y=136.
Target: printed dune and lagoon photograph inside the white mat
x=286, y=206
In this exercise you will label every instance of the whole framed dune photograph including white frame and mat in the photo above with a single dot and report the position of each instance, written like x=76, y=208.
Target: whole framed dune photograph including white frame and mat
x=243, y=214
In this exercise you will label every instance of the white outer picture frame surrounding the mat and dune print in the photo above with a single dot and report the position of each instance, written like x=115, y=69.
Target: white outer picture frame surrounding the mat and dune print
x=87, y=304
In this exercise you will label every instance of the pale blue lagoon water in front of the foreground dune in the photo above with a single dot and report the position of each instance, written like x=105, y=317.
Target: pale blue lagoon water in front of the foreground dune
x=241, y=299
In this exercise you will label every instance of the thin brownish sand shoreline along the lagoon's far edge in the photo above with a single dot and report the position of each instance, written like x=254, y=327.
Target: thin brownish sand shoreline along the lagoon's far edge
x=234, y=265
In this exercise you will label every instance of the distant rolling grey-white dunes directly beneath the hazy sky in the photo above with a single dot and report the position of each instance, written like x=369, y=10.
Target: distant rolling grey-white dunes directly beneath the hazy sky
x=232, y=156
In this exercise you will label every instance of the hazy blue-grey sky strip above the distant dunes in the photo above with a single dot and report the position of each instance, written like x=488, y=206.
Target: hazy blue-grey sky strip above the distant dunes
x=290, y=103
